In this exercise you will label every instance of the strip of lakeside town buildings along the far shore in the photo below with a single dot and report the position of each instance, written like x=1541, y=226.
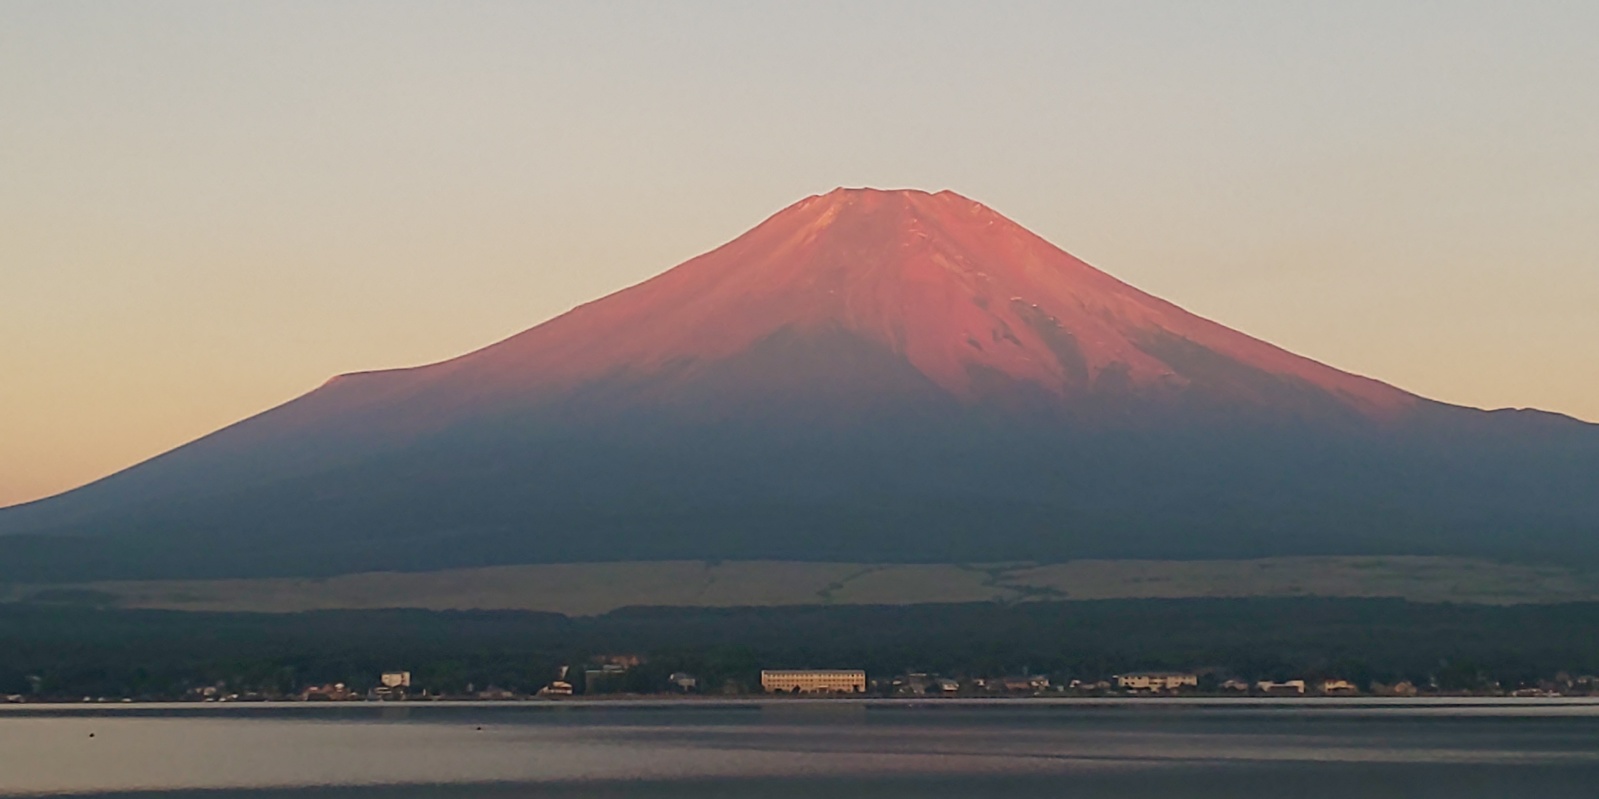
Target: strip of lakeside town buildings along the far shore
x=616, y=677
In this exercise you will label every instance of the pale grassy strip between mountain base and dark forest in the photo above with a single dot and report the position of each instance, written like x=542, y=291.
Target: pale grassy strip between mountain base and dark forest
x=604, y=587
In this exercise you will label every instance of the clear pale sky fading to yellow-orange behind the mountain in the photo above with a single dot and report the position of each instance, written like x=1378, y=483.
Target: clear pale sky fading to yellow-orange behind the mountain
x=209, y=209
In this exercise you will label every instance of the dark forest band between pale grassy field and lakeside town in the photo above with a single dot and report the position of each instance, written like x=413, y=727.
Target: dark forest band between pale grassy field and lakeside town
x=73, y=651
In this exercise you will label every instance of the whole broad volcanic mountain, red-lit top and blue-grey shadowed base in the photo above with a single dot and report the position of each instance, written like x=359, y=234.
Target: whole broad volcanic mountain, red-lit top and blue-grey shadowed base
x=866, y=375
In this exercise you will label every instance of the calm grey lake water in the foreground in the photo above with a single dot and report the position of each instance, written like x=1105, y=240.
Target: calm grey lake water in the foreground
x=800, y=750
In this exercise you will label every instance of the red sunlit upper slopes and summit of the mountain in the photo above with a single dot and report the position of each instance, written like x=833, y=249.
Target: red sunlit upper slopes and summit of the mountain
x=976, y=304
